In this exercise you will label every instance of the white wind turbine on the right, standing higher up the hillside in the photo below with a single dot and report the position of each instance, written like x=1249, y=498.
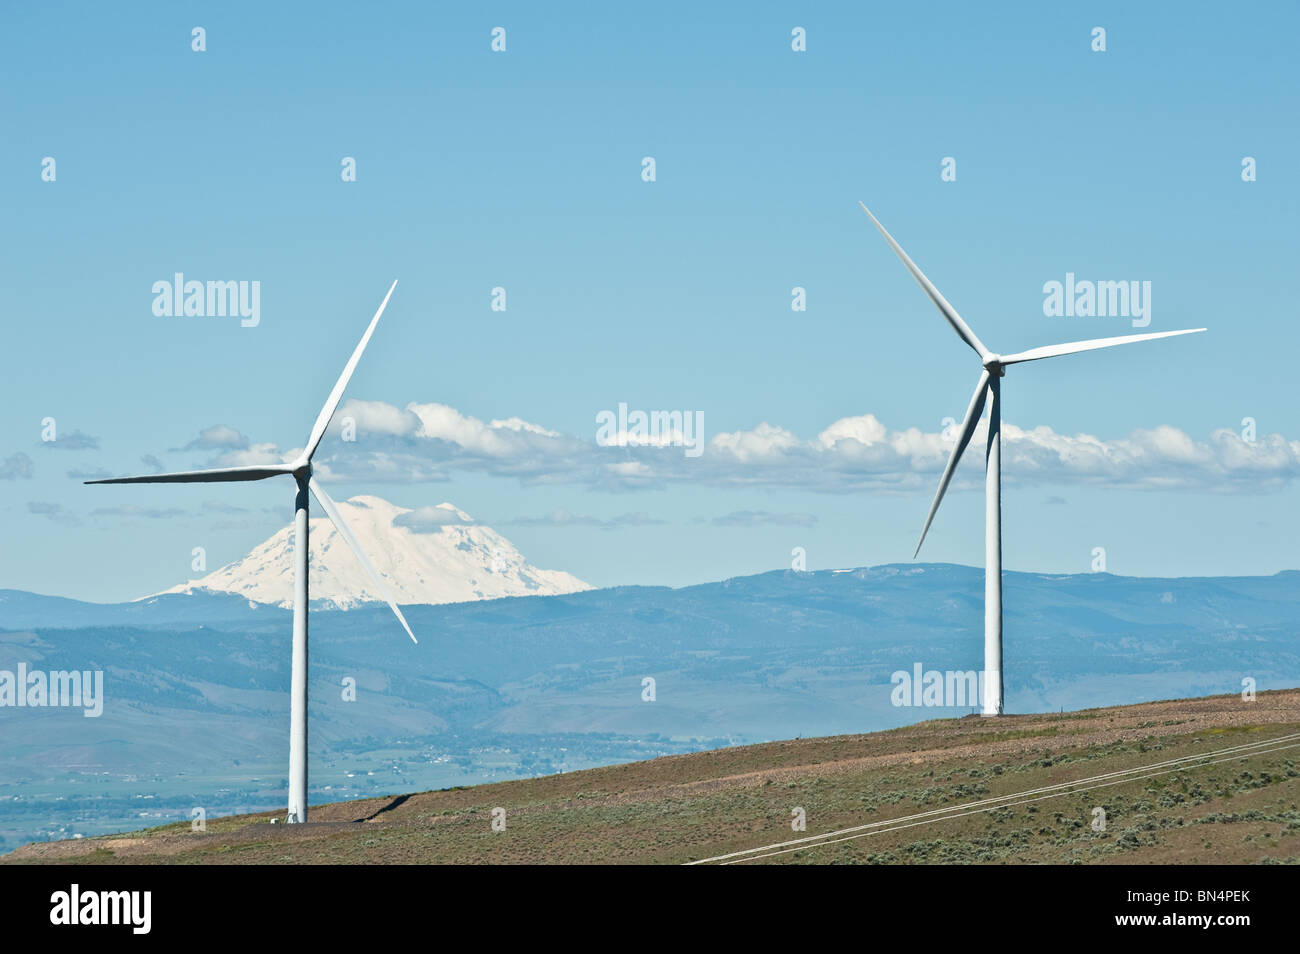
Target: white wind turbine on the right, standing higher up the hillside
x=990, y=384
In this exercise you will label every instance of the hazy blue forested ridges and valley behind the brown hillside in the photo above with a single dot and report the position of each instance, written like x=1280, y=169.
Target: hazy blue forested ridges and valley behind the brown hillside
x=197, y=686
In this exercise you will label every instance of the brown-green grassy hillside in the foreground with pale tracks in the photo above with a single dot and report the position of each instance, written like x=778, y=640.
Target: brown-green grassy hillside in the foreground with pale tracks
x=691, y=808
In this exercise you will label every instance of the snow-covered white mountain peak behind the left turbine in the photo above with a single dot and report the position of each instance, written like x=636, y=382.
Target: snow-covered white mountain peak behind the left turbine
x=434, y=556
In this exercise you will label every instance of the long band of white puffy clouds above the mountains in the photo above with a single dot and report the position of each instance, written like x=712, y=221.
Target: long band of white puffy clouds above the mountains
x=430, y=443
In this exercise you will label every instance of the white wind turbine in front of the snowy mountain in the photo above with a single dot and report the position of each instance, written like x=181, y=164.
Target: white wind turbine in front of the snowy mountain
x=301, y=471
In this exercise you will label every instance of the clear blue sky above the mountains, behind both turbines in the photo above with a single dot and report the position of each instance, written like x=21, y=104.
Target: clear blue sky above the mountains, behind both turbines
x=523, y=171
